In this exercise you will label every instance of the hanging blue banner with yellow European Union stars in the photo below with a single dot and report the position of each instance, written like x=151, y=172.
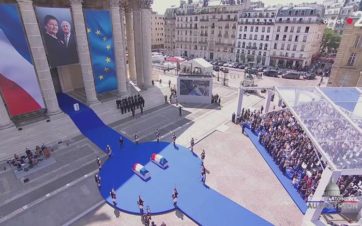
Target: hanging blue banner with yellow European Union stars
x=100, y=41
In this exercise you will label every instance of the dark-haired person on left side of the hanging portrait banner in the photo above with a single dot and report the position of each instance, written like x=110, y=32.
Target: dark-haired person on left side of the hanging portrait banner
x=55, y=46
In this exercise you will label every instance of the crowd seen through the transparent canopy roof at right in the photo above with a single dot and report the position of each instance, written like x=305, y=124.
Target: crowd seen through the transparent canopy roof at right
x=337, y=137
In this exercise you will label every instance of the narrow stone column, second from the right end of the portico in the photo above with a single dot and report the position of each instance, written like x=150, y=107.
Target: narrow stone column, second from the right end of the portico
x=130, y=44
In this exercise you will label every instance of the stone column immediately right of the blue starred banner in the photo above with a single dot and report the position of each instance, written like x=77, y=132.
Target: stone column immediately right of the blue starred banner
x=117, y=14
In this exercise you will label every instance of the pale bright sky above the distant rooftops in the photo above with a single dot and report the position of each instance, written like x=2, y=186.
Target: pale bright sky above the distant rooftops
x=161, y=5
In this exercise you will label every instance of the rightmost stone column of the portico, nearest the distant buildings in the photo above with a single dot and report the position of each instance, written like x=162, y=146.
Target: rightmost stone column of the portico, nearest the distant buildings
x=142, y=37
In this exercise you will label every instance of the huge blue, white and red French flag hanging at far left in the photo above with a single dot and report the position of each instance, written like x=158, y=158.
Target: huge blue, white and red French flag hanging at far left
x=19, y=85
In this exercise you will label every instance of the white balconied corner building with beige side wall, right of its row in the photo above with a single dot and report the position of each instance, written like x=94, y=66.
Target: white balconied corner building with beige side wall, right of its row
x=297, y=36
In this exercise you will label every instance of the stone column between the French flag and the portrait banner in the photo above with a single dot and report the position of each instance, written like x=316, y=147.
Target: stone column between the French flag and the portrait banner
x=39, y=56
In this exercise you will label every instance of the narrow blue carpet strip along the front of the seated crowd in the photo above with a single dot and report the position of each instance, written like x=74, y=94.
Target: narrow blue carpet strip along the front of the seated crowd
x=285, y=181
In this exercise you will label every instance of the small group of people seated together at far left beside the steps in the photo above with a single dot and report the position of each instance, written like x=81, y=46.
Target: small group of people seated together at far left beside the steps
x=30, y=158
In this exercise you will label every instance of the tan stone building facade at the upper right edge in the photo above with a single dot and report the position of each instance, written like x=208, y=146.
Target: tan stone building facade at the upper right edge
x=347, y=67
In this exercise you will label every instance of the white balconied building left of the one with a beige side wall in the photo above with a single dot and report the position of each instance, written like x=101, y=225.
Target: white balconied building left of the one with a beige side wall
x=254, y=36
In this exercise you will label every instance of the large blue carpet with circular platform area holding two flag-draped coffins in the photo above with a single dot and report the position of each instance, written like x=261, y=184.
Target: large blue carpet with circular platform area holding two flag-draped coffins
x=202, y=204
